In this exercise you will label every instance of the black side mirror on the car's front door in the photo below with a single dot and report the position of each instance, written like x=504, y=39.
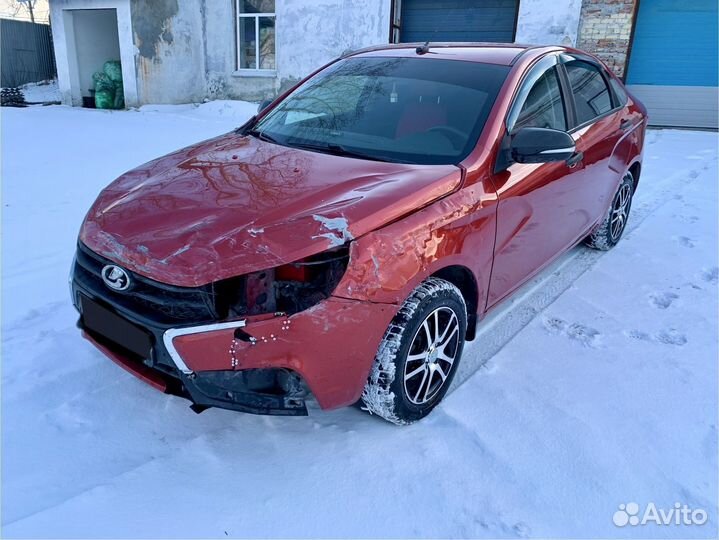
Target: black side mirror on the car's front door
x=541, y=145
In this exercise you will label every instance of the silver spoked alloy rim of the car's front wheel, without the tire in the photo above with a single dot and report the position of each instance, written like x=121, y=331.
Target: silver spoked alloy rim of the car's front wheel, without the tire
x=431, y=355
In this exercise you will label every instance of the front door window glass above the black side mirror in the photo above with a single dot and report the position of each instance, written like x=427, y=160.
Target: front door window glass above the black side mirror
x=543, y=106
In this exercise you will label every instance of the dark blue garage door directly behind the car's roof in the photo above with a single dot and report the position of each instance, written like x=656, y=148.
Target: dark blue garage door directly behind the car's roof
x=458, y=20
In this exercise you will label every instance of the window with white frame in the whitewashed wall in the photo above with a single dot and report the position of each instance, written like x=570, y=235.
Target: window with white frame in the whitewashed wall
x=255, y=34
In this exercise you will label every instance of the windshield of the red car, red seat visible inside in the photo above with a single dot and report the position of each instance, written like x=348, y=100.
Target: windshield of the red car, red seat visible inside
x=410, y=110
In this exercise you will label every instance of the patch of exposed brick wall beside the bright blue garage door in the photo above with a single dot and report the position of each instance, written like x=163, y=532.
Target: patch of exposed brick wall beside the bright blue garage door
x=604, y=30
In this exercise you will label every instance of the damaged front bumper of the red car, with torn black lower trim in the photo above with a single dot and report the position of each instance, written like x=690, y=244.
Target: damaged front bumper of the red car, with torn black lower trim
x=262, y=364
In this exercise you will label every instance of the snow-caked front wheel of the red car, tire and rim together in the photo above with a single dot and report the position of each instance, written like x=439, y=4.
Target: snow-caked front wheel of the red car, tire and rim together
x=419, y=354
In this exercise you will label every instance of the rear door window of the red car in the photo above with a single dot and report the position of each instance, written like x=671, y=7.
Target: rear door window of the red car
x=591, y=95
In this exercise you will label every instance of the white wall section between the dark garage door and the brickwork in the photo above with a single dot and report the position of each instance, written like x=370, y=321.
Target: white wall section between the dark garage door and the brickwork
x=548, y=22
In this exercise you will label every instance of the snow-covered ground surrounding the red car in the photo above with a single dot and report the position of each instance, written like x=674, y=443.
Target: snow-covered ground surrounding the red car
x=595, y=386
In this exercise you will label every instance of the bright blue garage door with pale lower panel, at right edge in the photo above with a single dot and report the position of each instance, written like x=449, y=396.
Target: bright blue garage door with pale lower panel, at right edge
x=673, y=61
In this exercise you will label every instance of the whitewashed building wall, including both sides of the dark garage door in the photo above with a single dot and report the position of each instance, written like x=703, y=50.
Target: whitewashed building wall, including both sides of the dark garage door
x=179, y=51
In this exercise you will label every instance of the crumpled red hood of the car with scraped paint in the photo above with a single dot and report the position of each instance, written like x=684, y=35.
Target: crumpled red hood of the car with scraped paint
x=234, y=204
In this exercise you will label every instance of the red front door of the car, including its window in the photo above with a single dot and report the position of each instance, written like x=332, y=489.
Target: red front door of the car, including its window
x=537, y=215
